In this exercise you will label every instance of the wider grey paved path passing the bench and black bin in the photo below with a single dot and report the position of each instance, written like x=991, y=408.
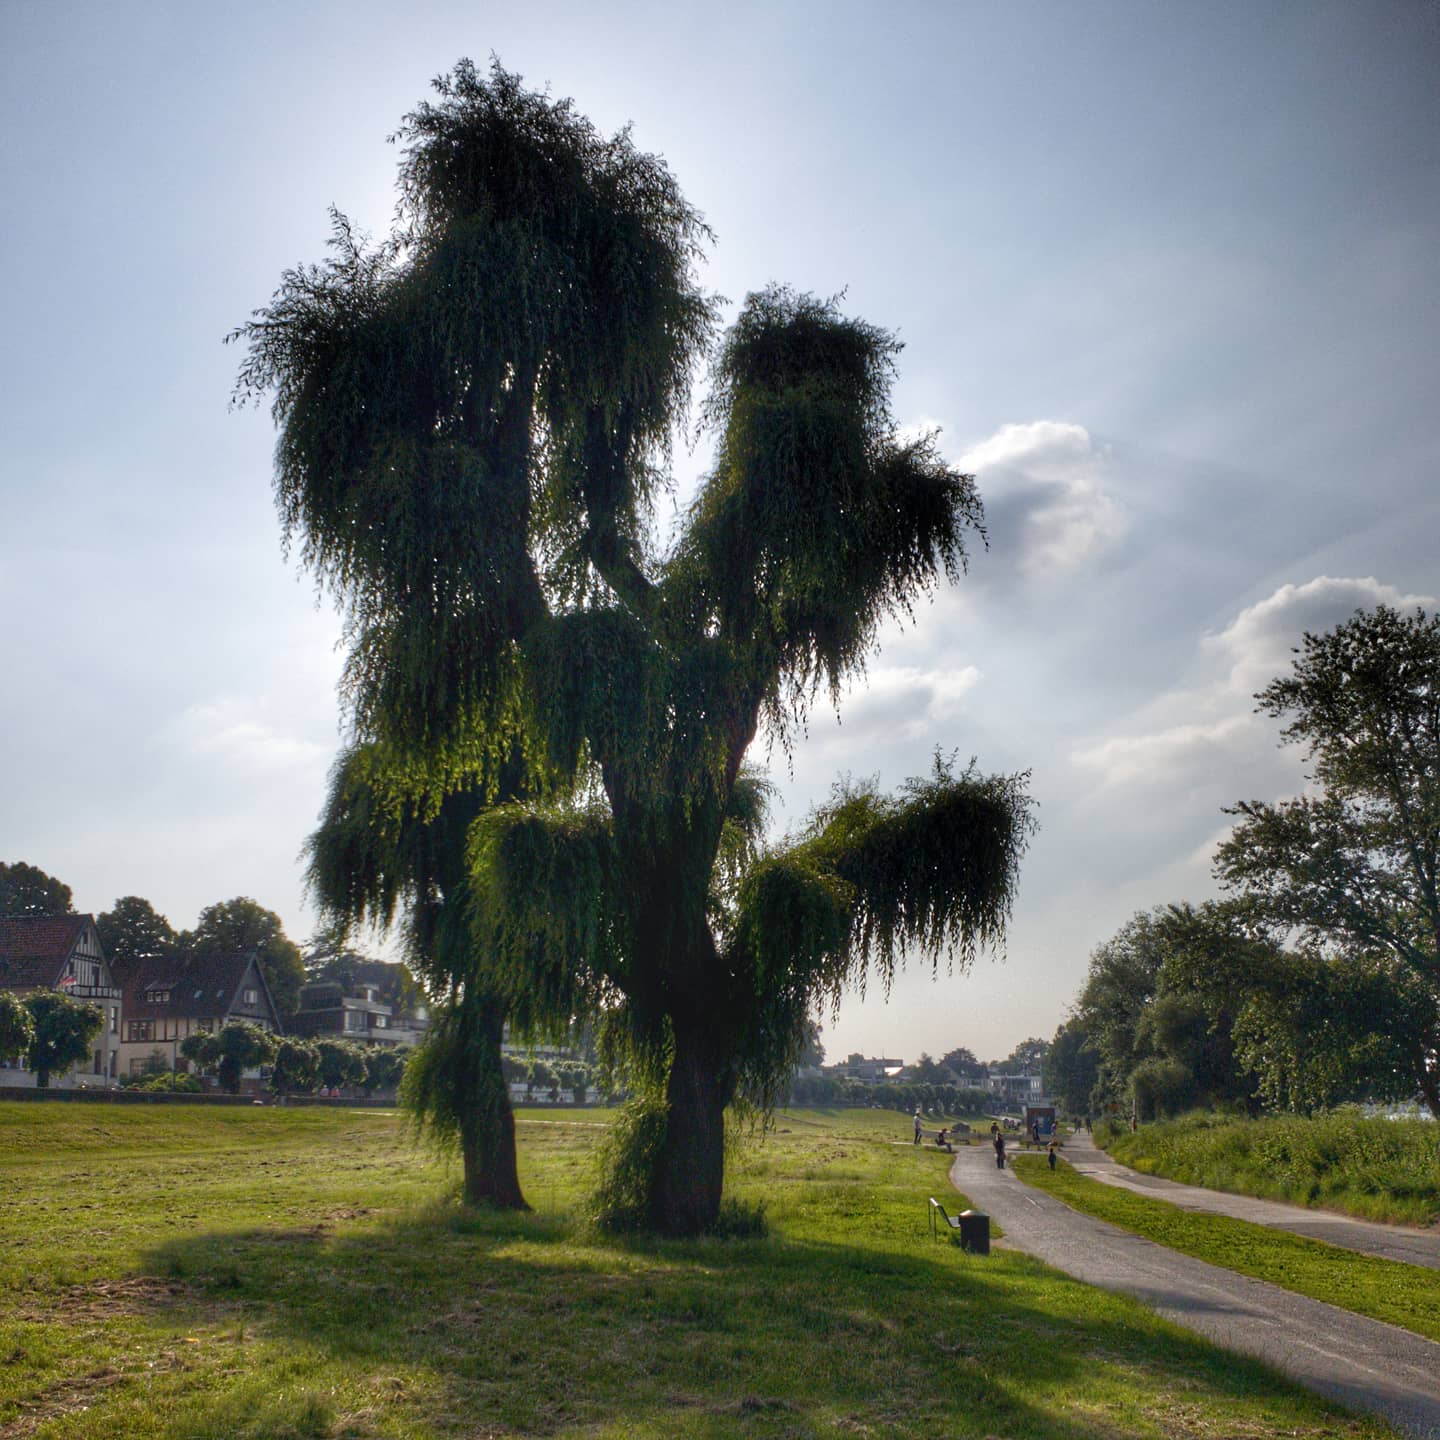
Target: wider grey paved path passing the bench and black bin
x=1362, y=1363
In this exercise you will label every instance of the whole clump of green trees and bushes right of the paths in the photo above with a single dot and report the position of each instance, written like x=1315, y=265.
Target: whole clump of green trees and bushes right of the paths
x=1317, y=981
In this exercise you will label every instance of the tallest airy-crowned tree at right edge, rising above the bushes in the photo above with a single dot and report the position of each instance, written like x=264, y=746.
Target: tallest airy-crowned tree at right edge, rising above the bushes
x=1356, y=866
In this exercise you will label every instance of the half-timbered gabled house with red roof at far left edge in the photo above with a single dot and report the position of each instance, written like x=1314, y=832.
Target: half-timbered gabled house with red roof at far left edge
x=63, y=953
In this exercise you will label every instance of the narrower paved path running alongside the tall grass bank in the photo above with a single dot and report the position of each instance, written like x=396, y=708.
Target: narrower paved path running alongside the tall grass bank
x=1390, y=1242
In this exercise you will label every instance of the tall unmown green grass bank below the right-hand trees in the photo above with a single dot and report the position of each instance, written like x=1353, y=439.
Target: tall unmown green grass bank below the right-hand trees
x=1374, y=1169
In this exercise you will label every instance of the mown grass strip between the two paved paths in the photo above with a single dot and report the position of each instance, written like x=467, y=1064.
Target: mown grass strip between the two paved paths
x=1389, y=1291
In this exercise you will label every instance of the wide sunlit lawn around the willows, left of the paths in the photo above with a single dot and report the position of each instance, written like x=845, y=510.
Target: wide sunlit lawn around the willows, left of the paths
x=260, y=1275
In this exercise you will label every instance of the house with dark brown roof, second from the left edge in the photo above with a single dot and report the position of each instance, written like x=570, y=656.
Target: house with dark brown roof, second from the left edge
x=169, y=999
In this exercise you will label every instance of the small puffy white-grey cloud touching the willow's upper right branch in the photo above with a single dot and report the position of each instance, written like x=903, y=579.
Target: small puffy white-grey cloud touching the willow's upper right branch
x=1043, y=490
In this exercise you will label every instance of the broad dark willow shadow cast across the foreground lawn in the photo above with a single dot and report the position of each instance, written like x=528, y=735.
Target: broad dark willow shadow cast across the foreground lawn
x=453, y=1323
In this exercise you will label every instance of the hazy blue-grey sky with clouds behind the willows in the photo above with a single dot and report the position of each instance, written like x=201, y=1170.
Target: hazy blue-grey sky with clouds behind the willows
x=1167, y=279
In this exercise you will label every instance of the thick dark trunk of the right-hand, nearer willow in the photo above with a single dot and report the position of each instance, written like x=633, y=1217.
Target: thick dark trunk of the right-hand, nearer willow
x=690, y=1170
